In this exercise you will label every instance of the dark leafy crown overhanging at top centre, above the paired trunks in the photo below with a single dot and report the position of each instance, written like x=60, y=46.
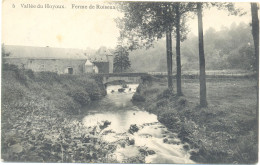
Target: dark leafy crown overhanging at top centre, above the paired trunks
x=145, y=22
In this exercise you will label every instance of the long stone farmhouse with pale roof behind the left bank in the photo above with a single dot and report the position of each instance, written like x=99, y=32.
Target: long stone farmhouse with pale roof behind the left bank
x=59, y=60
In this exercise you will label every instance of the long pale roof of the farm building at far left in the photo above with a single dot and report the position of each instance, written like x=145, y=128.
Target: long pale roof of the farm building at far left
x=44, y=52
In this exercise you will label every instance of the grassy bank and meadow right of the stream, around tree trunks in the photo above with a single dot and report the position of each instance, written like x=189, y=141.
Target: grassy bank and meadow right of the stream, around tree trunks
x=224, y=132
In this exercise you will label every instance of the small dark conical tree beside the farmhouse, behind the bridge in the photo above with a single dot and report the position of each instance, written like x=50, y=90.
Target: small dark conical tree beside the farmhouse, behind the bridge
x=121, y=60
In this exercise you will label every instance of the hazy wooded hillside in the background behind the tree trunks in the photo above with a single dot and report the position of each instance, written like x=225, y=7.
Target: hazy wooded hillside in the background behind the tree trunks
x=222, y=51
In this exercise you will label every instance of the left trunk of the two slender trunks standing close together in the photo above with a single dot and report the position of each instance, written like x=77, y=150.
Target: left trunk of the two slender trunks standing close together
x=169, y=58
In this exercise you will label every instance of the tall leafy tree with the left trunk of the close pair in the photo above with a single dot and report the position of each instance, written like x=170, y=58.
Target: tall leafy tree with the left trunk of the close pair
x=145, y=22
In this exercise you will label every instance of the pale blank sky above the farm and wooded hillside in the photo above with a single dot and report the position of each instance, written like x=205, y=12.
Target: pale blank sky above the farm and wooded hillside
x=81, y=28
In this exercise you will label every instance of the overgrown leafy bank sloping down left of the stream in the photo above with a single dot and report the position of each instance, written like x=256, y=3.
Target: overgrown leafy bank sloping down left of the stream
x=37, y=117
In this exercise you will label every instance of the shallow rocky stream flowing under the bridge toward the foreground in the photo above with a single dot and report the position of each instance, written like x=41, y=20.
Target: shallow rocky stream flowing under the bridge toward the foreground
x=147, y=140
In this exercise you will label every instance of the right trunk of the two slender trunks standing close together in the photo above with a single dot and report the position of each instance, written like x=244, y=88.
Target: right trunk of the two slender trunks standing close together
x=178, y=52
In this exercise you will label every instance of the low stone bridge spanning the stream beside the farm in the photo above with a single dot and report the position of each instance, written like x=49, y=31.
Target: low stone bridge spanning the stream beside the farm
x=126, y=77
